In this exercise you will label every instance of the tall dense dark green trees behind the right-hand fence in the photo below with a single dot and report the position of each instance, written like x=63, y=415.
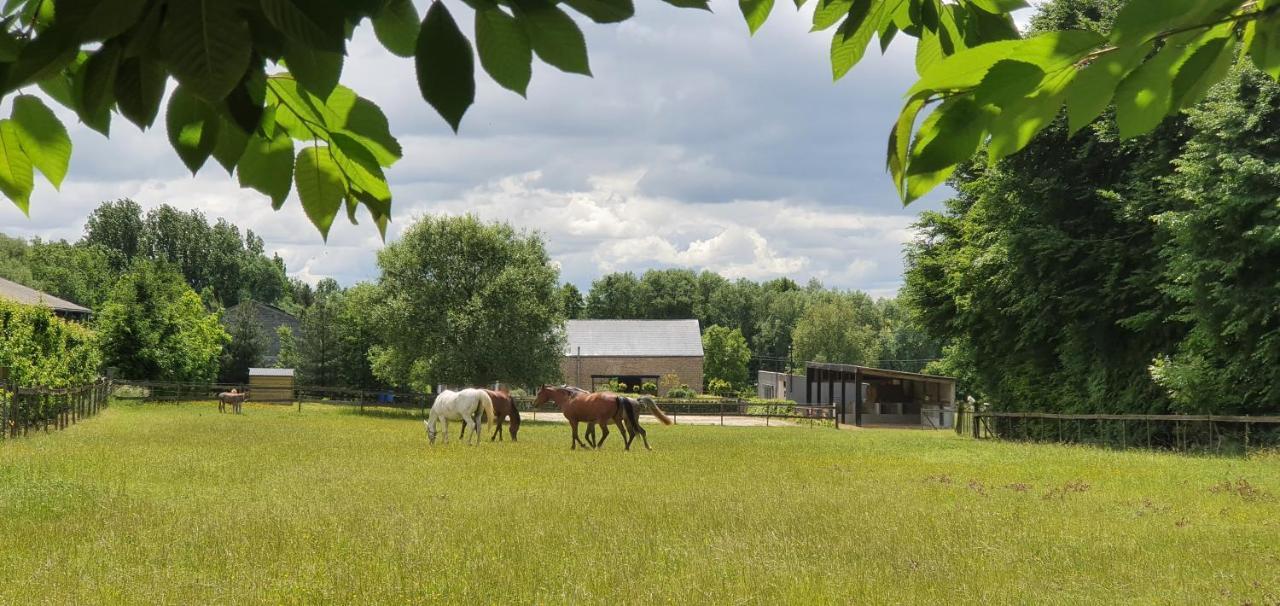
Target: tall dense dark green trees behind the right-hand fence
x=1099, y=275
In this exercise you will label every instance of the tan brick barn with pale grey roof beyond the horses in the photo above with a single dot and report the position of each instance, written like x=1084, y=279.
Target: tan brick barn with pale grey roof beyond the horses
x=633, y=353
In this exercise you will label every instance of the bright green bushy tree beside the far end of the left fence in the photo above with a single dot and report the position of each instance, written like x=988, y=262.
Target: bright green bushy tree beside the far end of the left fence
x=156, y=327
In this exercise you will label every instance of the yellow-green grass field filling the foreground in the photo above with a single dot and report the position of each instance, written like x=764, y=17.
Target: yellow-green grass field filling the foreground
x=162, y=504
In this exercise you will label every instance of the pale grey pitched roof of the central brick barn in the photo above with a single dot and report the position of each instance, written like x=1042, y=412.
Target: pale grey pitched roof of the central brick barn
x=633, y=339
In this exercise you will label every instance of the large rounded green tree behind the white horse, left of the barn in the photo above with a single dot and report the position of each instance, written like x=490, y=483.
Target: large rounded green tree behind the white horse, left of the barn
x=468, y=303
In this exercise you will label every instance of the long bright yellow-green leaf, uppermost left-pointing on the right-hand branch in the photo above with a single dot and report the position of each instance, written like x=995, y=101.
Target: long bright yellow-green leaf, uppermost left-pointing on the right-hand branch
x=966, y=70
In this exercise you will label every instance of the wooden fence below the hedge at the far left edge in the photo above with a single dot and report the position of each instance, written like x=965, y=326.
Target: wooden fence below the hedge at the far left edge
x=28, y=409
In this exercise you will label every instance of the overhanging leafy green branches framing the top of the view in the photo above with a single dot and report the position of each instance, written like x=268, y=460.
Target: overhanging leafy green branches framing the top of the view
x=258, y=84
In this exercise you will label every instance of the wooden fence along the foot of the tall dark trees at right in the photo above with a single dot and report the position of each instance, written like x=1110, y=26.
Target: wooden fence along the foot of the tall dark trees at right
x=1183, y=434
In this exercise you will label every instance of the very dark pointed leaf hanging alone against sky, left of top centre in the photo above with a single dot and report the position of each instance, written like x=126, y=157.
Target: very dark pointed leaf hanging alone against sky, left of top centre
x=446, y=67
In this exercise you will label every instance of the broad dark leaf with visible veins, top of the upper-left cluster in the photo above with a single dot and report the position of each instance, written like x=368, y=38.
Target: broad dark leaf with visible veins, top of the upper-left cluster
x=207, y=45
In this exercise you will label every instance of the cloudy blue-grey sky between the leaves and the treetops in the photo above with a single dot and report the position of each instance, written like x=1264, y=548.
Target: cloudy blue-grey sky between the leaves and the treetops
x=694, y=145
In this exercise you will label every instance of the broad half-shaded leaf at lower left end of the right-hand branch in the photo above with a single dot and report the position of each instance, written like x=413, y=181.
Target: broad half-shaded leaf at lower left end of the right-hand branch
x=949, y=136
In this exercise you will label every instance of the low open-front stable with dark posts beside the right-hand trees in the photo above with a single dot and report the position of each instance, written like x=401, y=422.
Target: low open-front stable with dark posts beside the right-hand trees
x=874, y=397
